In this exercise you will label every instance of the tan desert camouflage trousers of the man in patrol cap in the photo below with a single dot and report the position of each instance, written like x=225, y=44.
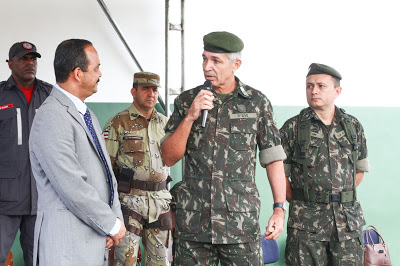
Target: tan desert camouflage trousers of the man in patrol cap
x=150, y=205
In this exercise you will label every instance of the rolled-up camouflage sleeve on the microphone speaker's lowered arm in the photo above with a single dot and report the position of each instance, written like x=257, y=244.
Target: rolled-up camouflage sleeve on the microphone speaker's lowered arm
x=268, y=139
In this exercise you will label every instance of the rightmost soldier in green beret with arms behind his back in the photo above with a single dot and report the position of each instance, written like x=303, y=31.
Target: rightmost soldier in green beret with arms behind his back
x=326, y=158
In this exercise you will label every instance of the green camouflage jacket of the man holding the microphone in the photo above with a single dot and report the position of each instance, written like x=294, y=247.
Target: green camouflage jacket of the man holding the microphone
x=217, y=200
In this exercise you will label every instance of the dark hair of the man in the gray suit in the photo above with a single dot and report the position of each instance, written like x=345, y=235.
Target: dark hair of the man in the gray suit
x=70, y=54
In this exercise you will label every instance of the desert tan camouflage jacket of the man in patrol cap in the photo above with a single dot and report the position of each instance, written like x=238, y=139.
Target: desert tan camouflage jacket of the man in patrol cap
x=134, y=143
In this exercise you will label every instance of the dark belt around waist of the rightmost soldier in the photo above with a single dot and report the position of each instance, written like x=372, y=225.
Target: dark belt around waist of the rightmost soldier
x=324, y=196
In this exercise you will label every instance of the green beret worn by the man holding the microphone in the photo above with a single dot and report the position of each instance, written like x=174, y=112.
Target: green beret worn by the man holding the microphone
x=222, y=42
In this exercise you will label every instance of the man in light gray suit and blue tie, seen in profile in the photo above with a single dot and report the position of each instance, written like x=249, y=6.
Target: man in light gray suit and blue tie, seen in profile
x=79, y=216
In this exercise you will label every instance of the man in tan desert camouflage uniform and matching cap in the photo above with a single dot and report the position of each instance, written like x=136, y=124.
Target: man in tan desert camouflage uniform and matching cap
x=133, y=141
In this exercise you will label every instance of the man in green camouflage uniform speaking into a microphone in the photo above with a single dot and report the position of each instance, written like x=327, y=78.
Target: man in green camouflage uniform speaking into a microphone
x=218, y=203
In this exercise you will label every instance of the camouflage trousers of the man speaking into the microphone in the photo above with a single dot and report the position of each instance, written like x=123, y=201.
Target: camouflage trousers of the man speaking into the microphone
x=198, y=253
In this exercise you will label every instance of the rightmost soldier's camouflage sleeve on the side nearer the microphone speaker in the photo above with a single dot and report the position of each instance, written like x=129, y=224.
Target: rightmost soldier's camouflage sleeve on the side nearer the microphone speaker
x=287, y=137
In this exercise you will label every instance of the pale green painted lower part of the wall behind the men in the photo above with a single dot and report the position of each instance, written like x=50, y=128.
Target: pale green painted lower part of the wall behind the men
x=379, y=192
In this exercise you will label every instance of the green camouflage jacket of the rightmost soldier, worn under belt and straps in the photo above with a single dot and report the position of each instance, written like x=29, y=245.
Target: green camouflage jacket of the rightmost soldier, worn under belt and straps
x=331, y=169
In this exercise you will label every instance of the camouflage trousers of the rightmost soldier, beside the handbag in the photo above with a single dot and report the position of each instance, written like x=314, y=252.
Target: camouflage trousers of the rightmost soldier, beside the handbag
x=301, y=251
